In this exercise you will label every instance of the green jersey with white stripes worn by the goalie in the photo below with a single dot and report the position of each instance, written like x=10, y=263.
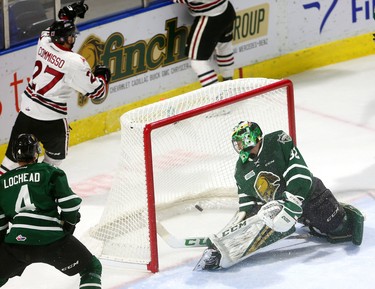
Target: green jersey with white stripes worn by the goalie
x=278, y=167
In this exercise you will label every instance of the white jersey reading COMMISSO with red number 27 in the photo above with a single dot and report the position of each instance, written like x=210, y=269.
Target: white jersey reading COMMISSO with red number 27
x=58, y=73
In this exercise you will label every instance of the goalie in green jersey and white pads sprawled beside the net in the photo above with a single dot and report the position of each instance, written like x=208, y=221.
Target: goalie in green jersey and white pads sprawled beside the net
x=276, y=190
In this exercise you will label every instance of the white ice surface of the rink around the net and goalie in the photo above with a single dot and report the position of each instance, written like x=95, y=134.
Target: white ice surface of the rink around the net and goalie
x=335, y=116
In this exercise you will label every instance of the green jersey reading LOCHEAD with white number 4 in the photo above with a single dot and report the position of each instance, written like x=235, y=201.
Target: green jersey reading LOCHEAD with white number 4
x=34, y=199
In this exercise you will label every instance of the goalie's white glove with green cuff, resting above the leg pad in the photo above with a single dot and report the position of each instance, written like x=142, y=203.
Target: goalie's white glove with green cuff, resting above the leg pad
x=281, y=215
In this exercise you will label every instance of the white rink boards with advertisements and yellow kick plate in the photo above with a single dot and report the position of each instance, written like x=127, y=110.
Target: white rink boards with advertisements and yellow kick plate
x=146, y=54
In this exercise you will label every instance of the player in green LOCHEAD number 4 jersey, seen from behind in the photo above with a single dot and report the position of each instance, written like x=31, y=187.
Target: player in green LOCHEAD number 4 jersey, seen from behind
x=38, y=214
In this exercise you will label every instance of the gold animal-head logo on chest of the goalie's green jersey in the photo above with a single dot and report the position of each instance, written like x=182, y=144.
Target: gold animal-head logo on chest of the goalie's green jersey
x=266, y=185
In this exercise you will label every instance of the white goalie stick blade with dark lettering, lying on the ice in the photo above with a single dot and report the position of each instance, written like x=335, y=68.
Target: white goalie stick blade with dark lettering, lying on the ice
x=174, y=242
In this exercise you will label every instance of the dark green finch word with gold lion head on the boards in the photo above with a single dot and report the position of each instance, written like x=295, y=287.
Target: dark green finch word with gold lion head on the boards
x=126, y=61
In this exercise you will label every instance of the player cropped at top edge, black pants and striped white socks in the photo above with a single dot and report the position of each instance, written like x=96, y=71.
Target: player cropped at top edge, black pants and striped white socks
x=212, y=30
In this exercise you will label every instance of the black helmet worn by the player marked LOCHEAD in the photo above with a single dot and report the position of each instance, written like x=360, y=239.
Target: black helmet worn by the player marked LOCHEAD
x=26, y=148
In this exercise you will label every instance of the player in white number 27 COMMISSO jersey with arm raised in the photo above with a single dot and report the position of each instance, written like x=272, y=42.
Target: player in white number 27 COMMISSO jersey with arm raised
x=59, y=73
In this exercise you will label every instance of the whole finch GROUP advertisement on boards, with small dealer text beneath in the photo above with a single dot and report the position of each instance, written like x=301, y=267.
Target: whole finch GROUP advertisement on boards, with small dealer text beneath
x=164, y=53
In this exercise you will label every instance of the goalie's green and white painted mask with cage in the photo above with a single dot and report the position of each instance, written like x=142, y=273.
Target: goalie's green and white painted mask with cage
x=245, y=137
